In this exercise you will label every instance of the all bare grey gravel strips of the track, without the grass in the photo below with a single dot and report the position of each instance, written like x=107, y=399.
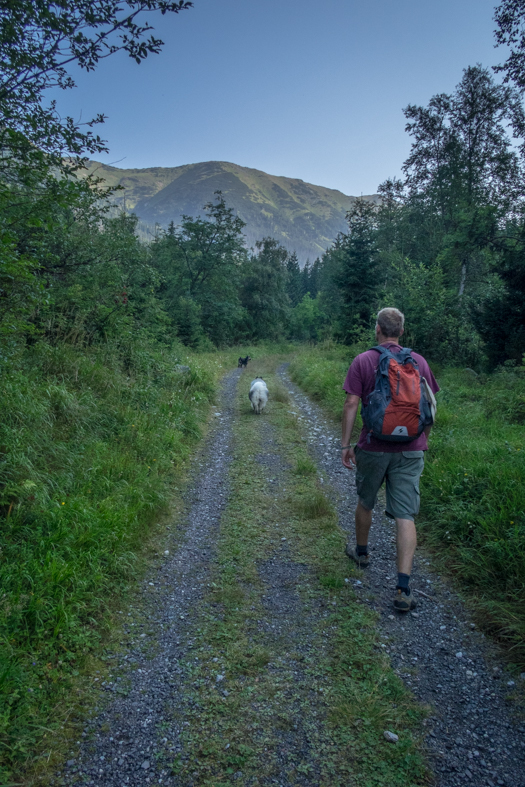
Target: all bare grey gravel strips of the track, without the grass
x=474, y=734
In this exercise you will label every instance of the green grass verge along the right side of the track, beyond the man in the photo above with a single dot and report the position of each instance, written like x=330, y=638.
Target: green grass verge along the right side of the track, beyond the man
x=472, y=490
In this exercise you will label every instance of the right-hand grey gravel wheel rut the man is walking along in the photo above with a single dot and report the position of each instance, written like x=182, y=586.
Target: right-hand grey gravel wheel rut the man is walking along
x=475, y=735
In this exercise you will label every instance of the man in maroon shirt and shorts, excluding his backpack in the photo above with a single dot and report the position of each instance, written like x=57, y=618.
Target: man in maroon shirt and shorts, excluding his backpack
x=376, y=460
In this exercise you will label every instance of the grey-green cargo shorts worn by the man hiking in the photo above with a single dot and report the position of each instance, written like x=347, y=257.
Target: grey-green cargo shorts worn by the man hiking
x=401, y=471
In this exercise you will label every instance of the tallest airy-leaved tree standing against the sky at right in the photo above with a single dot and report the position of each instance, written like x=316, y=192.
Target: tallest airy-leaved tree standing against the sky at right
x=463, y=175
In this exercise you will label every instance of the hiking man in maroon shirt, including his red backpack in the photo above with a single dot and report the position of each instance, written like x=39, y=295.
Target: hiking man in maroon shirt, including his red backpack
x=397, y=419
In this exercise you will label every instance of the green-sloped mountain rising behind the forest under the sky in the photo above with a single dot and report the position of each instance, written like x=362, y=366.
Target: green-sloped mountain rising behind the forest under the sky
x=301, y=216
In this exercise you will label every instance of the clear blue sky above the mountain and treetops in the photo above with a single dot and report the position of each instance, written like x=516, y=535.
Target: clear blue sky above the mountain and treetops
x=311, y=90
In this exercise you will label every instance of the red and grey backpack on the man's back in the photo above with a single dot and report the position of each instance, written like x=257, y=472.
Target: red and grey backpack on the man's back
x=401, y=404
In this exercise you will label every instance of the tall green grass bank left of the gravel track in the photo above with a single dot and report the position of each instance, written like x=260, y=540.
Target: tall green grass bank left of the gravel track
x=90, y=442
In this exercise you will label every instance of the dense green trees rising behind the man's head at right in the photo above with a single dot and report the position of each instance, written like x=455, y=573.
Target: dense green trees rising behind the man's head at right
x=445, y=245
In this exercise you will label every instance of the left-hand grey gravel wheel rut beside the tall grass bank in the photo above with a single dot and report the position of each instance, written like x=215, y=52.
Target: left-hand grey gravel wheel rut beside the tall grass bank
x=137, y=732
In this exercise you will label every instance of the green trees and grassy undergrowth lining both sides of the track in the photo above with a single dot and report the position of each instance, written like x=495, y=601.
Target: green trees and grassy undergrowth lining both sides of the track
x=98, y=419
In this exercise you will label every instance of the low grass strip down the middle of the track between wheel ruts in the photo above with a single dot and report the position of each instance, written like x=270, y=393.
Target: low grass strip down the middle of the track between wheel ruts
x=350, y=695
